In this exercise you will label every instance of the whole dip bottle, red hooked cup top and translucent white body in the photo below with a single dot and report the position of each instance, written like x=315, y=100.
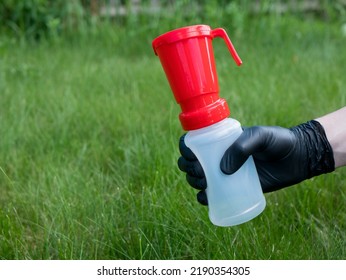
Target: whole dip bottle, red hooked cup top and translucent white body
x=187, y=57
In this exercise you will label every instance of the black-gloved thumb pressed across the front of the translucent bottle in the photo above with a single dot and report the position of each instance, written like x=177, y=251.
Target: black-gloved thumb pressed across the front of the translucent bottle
x=252, y=140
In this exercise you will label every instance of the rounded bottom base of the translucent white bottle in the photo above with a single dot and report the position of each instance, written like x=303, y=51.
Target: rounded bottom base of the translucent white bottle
x=244, y=217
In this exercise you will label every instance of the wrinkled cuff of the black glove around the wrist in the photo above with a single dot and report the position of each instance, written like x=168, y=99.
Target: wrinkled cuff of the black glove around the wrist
x=319, y=152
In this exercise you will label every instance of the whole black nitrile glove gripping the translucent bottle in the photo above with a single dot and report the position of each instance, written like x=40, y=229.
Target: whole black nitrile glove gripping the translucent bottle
x=283, y=157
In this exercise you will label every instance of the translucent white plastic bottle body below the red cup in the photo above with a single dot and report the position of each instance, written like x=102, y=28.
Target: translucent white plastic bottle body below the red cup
x=232, y=199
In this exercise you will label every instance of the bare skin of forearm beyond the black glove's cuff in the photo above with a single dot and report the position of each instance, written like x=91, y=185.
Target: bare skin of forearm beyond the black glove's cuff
x=334, y=125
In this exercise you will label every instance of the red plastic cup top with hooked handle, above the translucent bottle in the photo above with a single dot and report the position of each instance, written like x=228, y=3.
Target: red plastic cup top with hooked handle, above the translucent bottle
x=187, y=57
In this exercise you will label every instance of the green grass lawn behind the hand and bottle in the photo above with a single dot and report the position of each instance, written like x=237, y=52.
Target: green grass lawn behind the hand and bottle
x=89, y=143
